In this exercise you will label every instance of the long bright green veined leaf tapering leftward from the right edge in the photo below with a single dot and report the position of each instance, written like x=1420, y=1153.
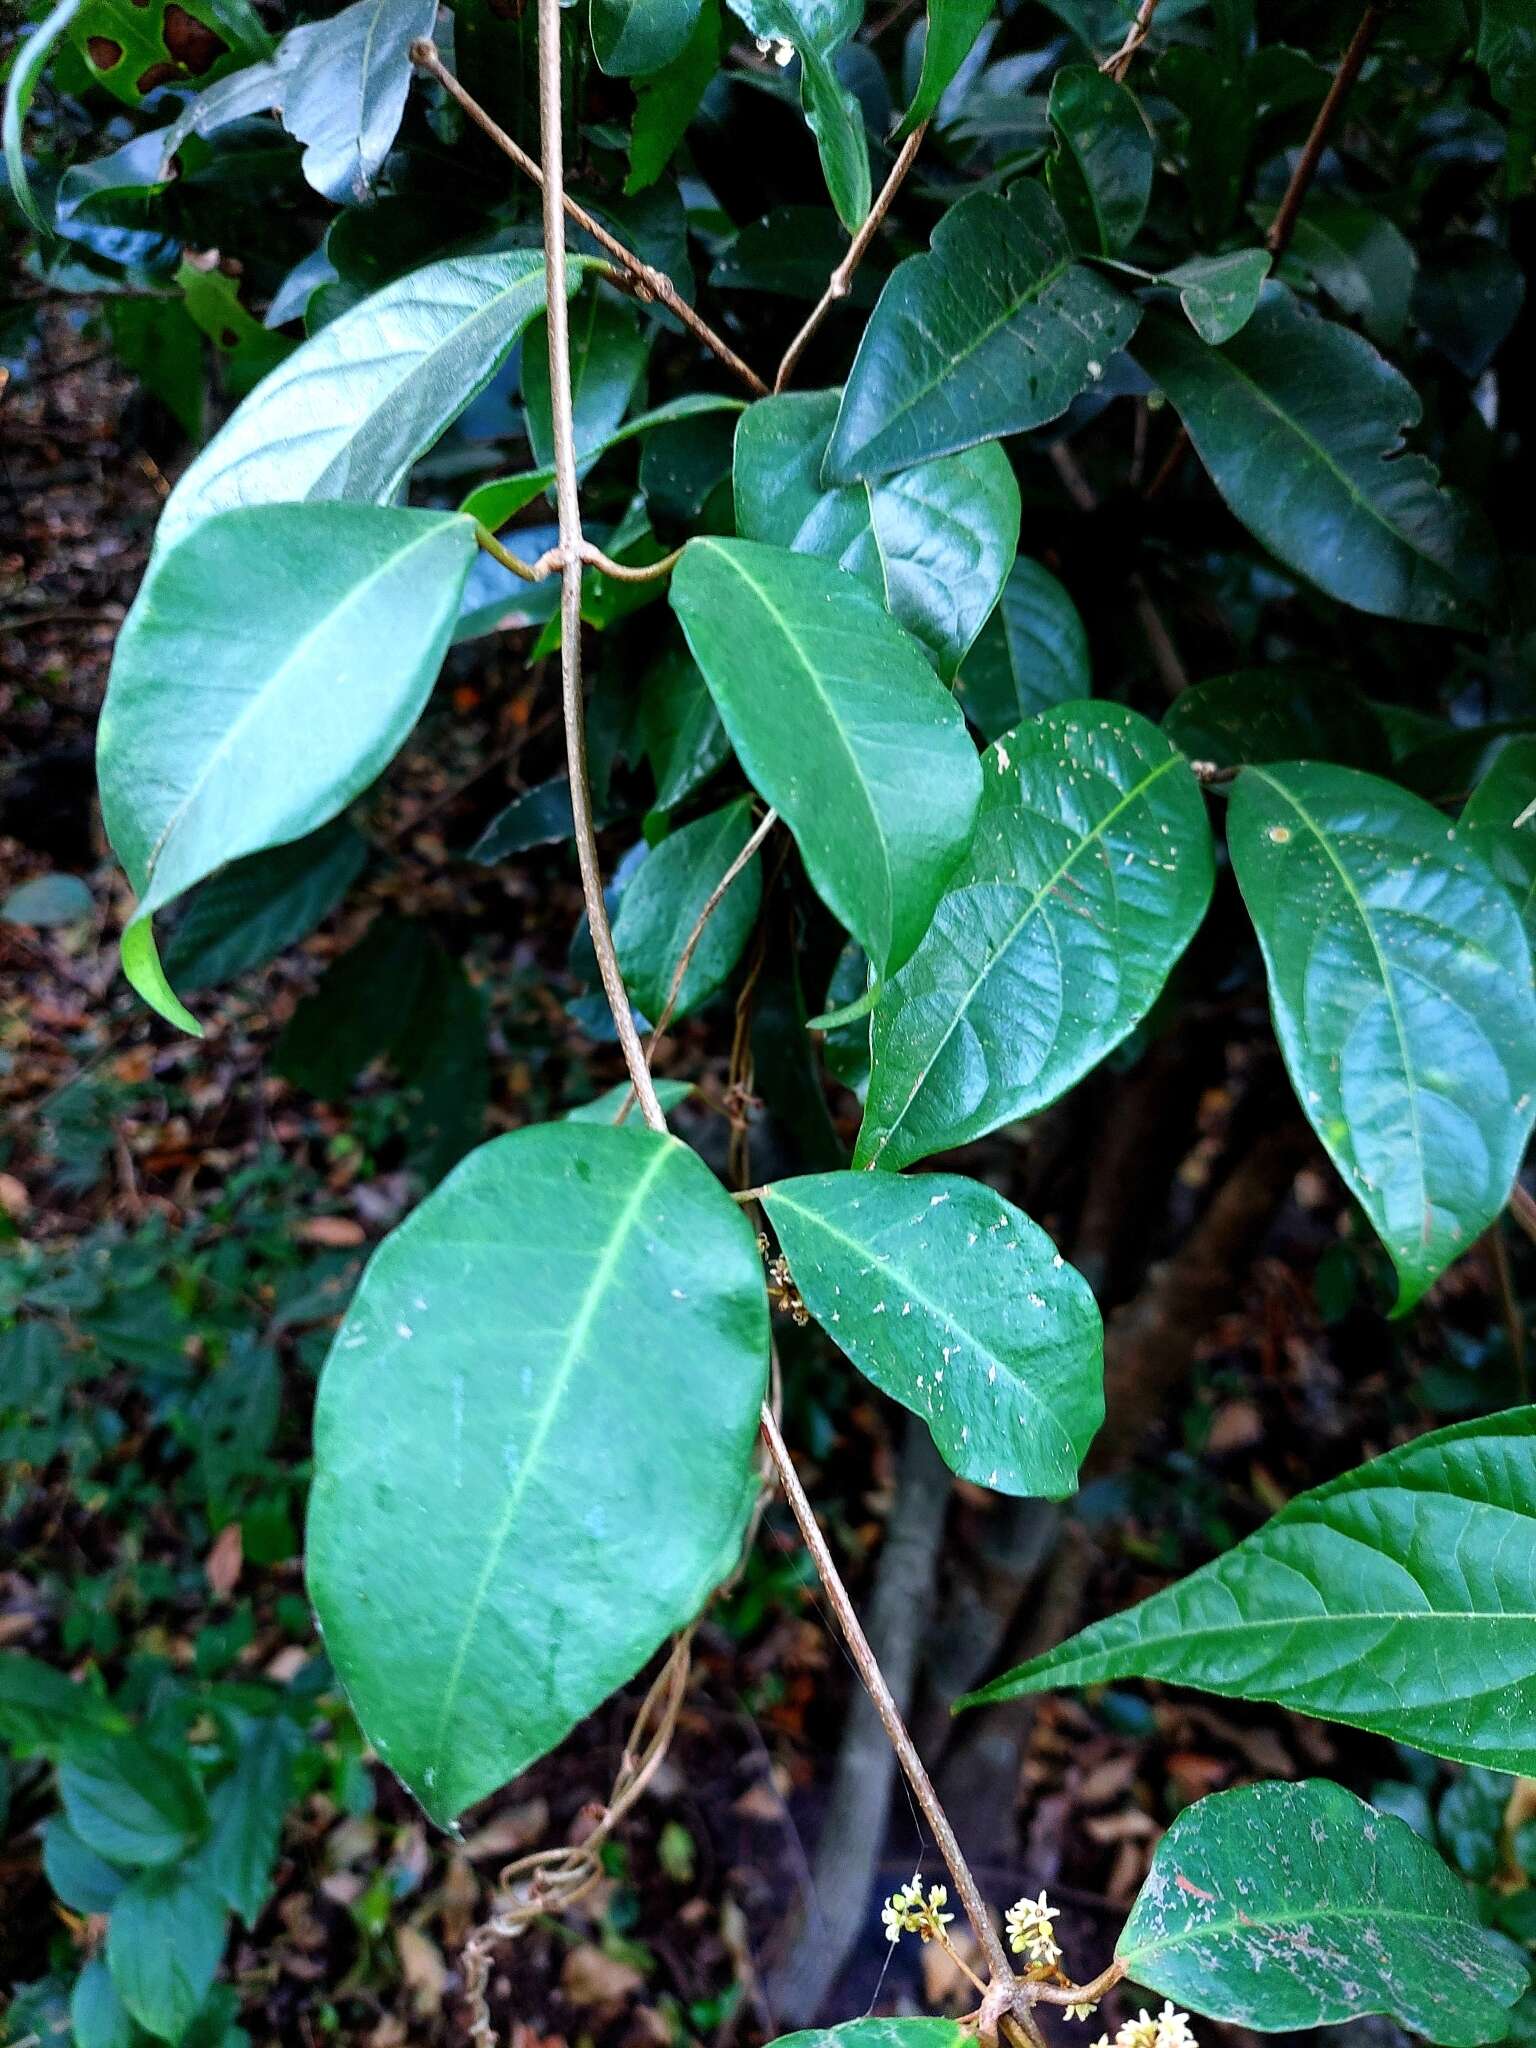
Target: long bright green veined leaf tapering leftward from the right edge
x=1400, y=1598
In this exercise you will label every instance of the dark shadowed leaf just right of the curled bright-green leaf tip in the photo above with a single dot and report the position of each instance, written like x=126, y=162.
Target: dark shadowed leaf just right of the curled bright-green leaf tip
x=261, y=906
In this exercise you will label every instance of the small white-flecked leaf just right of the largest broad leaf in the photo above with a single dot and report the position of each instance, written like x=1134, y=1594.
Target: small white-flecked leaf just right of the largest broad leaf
x=959, y=1308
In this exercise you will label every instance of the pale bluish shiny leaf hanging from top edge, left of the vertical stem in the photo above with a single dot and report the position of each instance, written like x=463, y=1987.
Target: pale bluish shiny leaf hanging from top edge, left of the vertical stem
x=347, y=85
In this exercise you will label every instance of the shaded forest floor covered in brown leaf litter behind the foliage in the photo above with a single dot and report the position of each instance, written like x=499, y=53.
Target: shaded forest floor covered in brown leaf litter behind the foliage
x=706, y=1920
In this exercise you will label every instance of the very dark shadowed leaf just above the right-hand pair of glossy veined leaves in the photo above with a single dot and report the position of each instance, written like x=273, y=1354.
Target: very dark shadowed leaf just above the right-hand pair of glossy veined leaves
x=1277, y=716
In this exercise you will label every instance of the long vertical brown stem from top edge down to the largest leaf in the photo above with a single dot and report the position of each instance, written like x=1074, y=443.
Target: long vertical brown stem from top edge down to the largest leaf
x=570, y=540
